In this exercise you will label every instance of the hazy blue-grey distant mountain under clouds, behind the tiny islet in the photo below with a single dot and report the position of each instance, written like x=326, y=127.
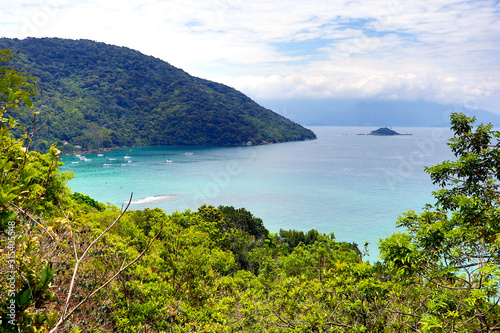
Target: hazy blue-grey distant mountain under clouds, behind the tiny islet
x=332, y=112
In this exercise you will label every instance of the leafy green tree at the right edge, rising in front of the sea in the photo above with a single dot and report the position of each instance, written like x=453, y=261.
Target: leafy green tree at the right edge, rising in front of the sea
x=450, y=249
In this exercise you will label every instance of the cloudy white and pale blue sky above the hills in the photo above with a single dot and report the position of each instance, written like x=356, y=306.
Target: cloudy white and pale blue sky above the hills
x=444, y=51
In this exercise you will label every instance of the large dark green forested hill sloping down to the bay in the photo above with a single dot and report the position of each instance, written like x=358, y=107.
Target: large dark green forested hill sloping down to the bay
x=97, y=95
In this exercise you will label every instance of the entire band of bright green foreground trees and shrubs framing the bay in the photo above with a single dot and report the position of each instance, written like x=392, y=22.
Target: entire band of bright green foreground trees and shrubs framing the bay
x=71, y=264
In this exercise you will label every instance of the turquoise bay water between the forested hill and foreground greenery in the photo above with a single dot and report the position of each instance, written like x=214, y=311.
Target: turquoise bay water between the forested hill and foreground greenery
x=353, y=185
